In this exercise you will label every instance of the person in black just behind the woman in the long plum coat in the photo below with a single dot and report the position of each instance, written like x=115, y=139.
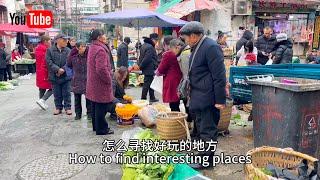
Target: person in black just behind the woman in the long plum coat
x=122, y=53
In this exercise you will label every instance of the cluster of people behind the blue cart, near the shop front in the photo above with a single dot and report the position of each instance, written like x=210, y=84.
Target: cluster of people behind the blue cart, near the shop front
x=267, y=49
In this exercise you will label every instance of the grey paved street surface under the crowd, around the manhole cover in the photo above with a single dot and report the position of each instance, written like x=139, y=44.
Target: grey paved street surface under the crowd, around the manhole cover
x=28, y=133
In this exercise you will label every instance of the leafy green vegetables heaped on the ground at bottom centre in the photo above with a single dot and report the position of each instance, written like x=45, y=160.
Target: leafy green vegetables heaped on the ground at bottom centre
x=146, y=171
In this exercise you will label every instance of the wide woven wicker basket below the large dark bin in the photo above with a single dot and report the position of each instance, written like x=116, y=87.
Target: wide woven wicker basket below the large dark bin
x=281, y=158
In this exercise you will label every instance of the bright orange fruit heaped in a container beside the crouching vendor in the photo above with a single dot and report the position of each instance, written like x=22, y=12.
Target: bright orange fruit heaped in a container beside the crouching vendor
x=126, y=114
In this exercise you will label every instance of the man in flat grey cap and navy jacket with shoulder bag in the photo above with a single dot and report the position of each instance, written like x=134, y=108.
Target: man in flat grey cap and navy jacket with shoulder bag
x=207, y=82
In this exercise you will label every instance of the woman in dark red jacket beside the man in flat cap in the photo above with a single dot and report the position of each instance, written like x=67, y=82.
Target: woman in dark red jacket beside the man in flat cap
x=170, y=69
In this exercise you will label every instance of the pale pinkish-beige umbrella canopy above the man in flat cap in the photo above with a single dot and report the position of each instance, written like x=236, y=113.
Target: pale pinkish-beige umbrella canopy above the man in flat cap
x=187, y=7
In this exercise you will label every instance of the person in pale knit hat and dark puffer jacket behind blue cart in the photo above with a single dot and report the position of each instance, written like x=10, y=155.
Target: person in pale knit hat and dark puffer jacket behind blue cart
x=284, y=50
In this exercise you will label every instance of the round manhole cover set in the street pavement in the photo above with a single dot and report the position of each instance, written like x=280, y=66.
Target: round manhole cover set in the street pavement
x=50, y=167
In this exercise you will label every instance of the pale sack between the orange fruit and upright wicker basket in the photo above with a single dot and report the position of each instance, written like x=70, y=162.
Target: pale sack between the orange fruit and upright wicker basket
x=148, y=114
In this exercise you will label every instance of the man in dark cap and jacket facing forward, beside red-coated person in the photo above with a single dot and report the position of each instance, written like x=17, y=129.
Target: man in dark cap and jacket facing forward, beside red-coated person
x=56, y=58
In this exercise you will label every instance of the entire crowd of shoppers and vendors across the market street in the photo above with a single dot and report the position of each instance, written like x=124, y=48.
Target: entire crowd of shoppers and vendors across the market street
x=192, y=67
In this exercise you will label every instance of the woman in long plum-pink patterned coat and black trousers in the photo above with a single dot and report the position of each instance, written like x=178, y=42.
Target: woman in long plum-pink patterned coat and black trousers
x=99, y=82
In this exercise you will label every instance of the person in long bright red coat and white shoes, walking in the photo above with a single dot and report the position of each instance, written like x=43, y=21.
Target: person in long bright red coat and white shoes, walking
x=42, y=80
